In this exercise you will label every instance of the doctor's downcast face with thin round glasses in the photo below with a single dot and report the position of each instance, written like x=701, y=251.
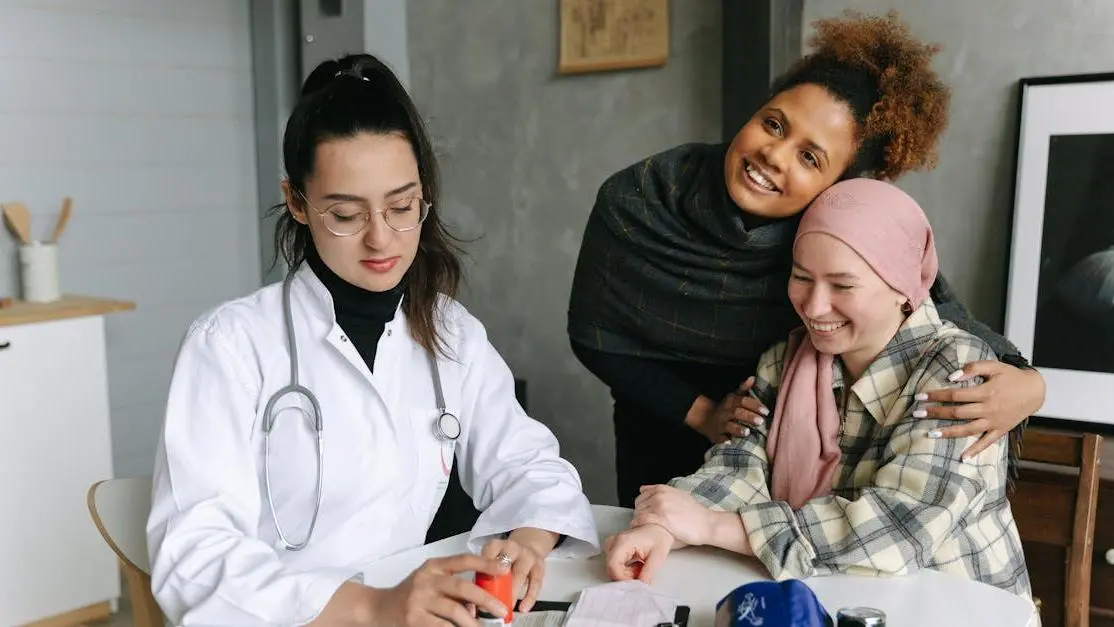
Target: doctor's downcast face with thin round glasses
x=365, y=173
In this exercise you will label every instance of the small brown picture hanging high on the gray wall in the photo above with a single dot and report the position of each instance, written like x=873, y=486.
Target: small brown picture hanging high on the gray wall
x=611, y=35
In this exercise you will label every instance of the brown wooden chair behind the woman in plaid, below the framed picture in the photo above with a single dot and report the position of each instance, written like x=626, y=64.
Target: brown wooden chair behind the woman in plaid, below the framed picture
x=1056, y=507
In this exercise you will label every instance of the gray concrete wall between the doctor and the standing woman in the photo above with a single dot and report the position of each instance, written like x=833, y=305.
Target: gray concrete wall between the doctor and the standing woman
x=524, y=154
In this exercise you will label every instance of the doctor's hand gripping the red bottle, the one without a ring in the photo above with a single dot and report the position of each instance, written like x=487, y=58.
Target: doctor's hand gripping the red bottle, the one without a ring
x=433, y=595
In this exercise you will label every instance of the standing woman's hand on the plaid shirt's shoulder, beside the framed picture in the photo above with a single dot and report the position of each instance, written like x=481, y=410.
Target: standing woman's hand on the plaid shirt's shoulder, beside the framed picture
x=1006, y=398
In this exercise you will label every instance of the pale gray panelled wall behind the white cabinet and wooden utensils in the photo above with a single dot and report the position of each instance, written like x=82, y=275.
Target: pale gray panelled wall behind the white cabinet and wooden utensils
x=142, y=112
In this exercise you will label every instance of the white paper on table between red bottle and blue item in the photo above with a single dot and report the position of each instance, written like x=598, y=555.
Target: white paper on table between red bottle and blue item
x=621, y=604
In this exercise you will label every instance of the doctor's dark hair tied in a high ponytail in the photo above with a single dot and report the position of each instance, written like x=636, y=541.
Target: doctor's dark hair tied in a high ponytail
x=344, y=99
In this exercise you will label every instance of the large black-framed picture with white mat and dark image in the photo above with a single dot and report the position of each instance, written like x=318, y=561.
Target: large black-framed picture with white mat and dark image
x=1060, y=307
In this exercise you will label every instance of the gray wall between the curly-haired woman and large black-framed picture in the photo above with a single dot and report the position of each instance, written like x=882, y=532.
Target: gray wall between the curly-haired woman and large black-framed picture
x=985, y=52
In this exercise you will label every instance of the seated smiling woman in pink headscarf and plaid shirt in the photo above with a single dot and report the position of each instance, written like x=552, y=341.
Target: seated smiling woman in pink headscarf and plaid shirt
x=849, y=476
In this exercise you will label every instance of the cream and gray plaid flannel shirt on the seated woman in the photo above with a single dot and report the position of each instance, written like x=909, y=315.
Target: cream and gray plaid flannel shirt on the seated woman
x=901, y=501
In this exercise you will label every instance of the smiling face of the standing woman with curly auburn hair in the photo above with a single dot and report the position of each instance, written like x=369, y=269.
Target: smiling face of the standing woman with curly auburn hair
x=791, y=151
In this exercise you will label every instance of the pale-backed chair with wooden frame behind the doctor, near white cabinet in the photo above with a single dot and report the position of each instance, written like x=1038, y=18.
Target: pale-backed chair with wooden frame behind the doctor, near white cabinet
x=120, y=510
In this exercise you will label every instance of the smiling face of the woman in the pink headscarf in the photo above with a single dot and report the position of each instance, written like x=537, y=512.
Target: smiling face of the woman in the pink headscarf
x=848, y=310
